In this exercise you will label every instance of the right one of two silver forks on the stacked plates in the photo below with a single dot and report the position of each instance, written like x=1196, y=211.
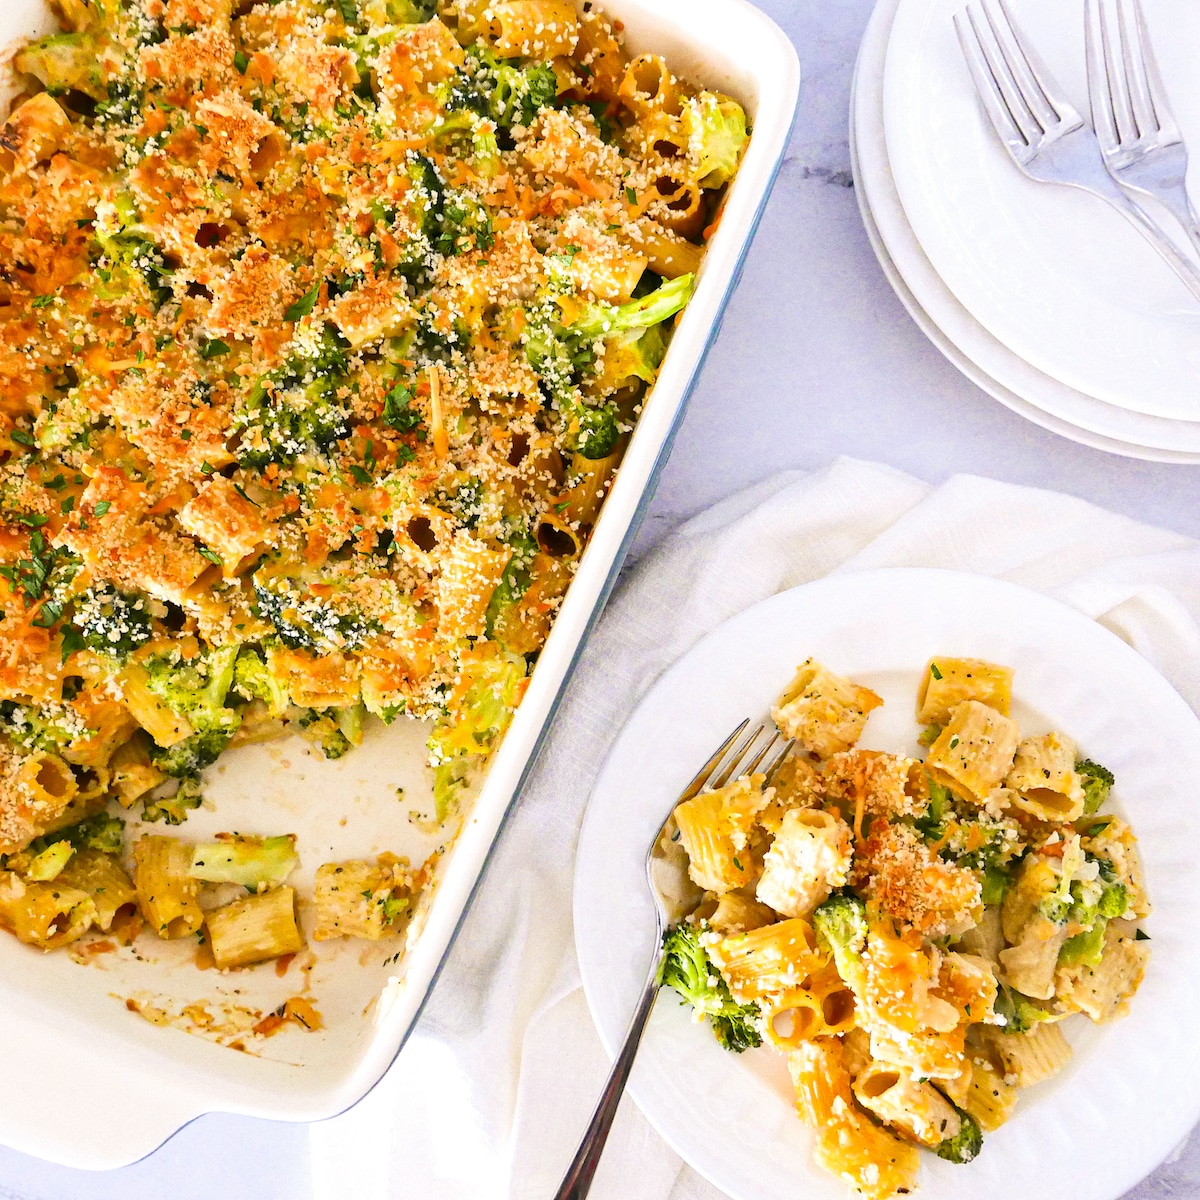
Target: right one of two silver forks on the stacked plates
x=1142, y=145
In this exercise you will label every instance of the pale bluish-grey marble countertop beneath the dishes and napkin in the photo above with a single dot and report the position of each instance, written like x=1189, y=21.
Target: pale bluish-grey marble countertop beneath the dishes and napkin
x=817, y=359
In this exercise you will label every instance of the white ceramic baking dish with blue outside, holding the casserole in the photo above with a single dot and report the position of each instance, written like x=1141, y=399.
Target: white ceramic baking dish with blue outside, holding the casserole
x=94, y=1085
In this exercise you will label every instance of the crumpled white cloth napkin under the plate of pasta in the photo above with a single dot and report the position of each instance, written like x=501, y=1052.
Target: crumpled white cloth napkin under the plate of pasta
x=499, y=1081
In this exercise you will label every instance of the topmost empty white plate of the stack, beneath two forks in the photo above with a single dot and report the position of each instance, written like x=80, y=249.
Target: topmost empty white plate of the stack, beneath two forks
x=1055, y=274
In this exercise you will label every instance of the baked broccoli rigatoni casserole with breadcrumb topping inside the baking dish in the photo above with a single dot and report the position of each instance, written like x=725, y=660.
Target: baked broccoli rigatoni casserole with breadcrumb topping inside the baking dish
x=323, y=331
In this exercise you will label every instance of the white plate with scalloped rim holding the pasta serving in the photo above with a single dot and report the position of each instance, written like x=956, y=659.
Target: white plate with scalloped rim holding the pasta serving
x=1133, y=1090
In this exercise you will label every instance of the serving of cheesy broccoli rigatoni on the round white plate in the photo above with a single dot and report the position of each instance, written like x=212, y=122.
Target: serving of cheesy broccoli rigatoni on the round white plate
x=911, y=934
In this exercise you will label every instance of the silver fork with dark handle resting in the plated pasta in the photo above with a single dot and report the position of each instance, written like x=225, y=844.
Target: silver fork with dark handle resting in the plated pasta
x=664, y=859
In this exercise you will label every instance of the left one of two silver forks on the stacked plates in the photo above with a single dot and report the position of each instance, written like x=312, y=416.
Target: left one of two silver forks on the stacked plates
x=1043, y=134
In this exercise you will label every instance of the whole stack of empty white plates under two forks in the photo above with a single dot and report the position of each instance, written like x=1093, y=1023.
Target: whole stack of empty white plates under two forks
x=1045, y=297
